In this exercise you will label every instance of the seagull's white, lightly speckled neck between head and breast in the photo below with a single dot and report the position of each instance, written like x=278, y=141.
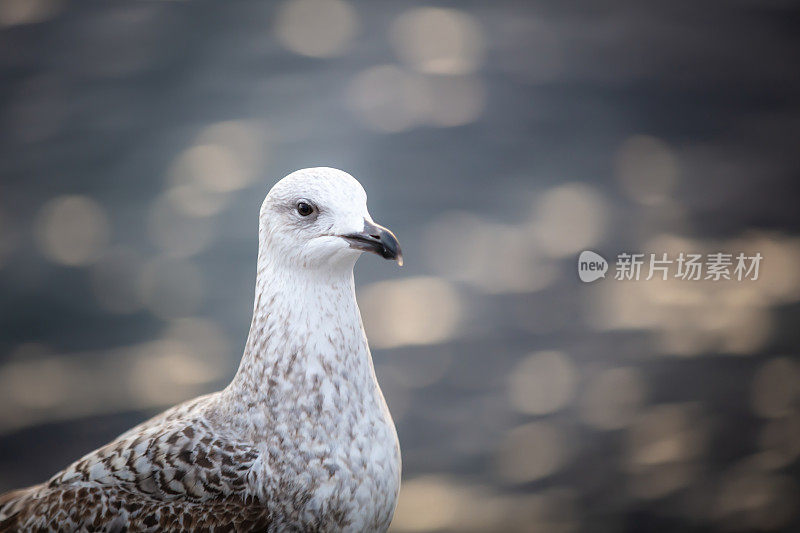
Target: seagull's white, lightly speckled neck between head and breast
x=306, y=329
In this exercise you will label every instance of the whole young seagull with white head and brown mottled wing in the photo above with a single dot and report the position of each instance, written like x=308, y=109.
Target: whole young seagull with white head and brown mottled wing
x=300, y=440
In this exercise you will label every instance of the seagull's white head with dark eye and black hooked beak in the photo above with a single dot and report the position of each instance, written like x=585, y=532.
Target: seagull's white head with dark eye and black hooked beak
x=317, y=218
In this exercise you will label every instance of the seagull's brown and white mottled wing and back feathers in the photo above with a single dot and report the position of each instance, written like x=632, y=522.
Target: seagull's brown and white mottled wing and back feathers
x=171, y=473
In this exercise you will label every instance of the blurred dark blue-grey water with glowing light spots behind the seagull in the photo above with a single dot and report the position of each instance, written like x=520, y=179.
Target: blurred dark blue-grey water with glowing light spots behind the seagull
x=498, y=140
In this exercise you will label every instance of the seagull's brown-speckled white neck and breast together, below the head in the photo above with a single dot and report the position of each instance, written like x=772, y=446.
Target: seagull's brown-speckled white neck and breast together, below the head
x=306, y=393
